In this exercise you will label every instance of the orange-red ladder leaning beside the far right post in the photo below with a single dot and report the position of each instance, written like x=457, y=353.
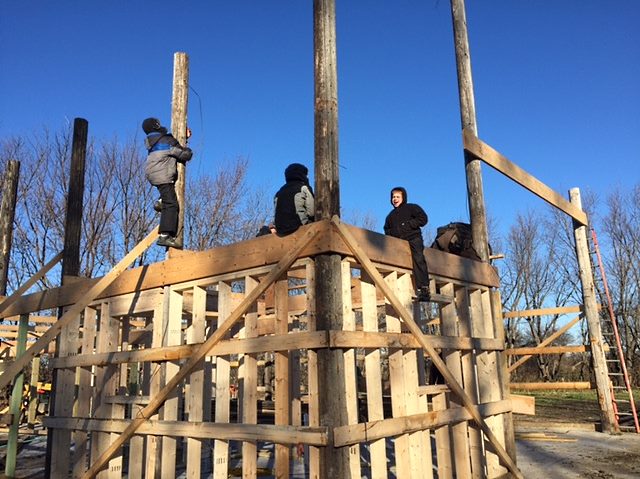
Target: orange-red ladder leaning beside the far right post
x=615, y=357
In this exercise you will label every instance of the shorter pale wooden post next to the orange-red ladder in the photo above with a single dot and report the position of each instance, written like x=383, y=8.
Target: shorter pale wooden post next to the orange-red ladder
x=600, y=370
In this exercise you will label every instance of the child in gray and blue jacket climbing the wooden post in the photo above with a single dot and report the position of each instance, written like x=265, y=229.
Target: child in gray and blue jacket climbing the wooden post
x=163, y=153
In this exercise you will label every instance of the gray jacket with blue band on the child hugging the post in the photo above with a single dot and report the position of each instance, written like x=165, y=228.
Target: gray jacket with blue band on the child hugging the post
x=163, y=153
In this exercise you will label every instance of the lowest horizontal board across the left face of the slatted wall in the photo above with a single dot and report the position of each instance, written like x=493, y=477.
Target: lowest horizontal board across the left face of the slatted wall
x=314, y=436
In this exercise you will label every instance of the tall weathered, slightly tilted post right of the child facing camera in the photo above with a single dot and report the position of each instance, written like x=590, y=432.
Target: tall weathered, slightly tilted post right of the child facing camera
x=475, y=191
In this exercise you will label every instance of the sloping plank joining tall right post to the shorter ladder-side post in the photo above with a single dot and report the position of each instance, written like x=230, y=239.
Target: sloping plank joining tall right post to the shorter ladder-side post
x=491, y=157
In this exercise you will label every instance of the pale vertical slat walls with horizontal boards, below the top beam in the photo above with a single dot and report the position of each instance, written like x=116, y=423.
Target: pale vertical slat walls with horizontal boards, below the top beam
x=219, y=422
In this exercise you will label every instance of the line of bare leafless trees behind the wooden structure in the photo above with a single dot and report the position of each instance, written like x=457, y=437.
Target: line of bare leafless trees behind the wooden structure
x=539, y=269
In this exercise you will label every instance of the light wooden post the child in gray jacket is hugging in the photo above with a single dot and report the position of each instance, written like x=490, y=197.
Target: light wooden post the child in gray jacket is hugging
x=179, y=104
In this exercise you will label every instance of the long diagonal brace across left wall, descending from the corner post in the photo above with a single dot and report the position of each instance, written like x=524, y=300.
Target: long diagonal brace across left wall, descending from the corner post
x=199, y=354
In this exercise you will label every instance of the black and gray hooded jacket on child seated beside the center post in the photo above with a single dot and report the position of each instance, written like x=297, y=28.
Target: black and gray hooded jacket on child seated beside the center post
x=294, y=202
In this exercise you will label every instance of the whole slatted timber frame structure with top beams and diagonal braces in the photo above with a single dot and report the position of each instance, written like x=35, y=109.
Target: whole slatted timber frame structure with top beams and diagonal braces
x=158, y=365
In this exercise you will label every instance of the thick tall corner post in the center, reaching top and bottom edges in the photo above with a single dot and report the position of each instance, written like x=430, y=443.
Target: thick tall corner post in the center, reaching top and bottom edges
x=333, y=462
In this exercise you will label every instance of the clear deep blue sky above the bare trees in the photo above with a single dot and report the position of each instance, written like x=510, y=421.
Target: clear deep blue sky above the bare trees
x=556, y=87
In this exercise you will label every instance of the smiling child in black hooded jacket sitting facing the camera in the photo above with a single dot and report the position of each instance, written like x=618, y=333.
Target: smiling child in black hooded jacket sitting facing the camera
x=404, y=222
